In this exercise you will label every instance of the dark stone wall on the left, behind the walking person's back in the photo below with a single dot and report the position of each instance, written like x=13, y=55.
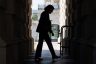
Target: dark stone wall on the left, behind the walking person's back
x=15, y=41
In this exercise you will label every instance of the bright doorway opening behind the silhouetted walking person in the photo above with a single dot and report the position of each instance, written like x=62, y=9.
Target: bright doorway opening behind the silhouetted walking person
x=58, y=18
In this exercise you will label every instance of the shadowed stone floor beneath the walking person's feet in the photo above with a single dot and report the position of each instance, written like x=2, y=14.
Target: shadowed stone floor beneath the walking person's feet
x=48, y=60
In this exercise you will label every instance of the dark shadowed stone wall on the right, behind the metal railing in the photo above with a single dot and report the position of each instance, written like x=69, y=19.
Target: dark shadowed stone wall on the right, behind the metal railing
x=83, y=34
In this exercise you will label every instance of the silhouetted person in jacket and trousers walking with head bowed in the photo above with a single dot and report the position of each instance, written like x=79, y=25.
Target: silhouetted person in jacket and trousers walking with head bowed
x=43, y=28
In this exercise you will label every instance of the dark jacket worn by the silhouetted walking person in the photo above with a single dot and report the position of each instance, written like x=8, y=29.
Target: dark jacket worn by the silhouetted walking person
x=44, y=25
